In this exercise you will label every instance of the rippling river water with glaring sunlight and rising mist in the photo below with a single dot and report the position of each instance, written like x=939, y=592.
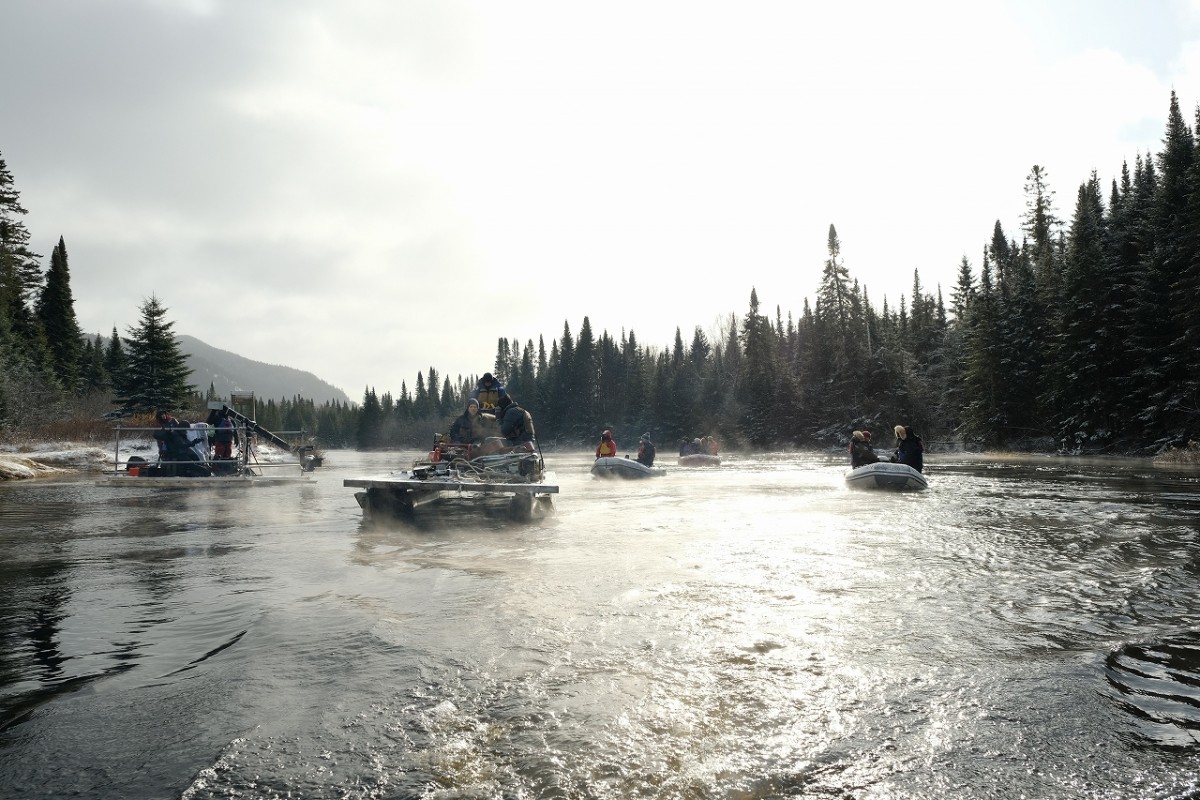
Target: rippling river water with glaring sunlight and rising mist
x=1027, y=628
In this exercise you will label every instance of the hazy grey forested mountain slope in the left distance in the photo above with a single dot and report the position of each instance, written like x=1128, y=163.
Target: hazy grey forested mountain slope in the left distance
x=231, y=372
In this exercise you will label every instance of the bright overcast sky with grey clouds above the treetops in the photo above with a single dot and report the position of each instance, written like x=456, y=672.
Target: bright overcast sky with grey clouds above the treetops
x=368, y=189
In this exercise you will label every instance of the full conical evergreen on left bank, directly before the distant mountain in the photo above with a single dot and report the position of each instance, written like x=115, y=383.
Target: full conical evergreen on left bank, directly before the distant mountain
x=157, y=374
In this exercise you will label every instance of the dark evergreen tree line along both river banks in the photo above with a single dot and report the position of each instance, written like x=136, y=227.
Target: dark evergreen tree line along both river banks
x=1081, y=335
